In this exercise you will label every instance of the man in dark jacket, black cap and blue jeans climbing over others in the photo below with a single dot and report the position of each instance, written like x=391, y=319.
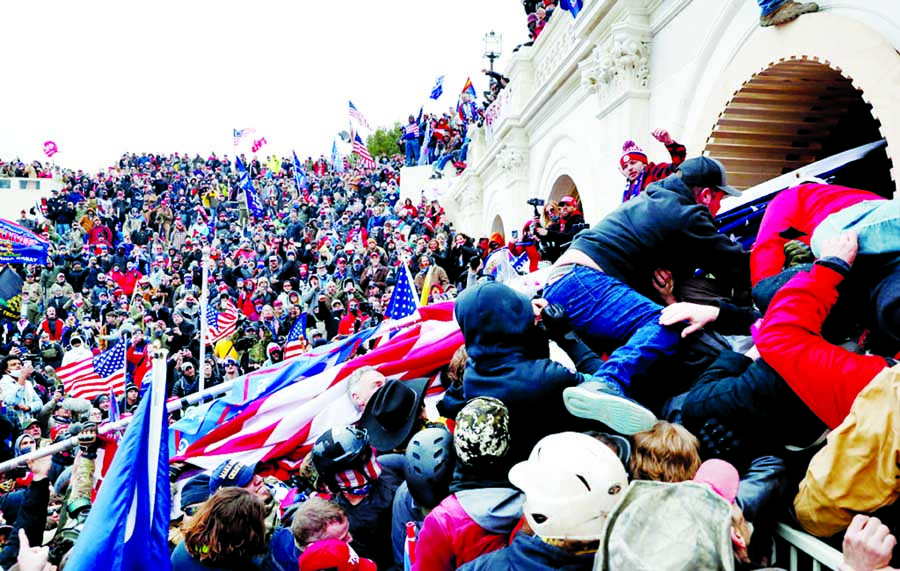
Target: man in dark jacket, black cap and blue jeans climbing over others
x=602, y=276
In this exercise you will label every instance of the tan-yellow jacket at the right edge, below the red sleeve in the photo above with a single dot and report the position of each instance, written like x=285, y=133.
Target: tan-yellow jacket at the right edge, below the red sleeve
x=858, y=469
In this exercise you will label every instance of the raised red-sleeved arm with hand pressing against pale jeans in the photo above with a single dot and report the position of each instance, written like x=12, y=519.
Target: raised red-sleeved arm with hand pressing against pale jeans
x=826, y=377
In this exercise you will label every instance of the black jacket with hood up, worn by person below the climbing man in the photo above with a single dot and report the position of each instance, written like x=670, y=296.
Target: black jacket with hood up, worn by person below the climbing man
x=509, y=360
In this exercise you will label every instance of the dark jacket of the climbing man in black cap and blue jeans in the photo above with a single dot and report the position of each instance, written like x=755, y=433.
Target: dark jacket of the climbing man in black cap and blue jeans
x=663, y=227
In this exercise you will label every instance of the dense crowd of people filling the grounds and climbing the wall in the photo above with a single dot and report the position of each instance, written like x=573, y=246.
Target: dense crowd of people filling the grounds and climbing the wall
x=661, y=402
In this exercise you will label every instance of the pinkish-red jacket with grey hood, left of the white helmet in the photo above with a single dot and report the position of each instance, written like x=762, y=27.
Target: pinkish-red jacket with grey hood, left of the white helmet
x=466, y=525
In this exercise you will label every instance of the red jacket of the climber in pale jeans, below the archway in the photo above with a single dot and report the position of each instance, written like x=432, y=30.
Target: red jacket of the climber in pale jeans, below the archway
x=794, y=214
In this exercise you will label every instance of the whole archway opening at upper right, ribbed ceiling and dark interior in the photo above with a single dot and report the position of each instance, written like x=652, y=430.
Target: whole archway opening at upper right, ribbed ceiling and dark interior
x=791, y=114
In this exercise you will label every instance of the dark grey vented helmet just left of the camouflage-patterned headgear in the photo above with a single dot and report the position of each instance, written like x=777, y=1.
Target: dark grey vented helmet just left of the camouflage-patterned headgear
x=430, y=460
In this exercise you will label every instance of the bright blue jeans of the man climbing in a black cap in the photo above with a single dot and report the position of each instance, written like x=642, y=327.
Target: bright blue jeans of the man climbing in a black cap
x=602, y=307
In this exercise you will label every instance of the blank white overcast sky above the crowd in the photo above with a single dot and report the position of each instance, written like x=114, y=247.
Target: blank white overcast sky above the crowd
x=100, y=78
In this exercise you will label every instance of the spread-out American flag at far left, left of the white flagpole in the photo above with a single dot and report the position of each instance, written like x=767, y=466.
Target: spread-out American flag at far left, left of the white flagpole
x=95, y=375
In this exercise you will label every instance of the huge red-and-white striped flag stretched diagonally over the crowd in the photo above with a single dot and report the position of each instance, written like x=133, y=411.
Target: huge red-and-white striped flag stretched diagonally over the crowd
x=280, y=428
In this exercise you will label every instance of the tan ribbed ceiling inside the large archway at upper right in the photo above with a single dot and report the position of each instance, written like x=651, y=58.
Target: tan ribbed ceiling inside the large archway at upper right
x=779, y=119
